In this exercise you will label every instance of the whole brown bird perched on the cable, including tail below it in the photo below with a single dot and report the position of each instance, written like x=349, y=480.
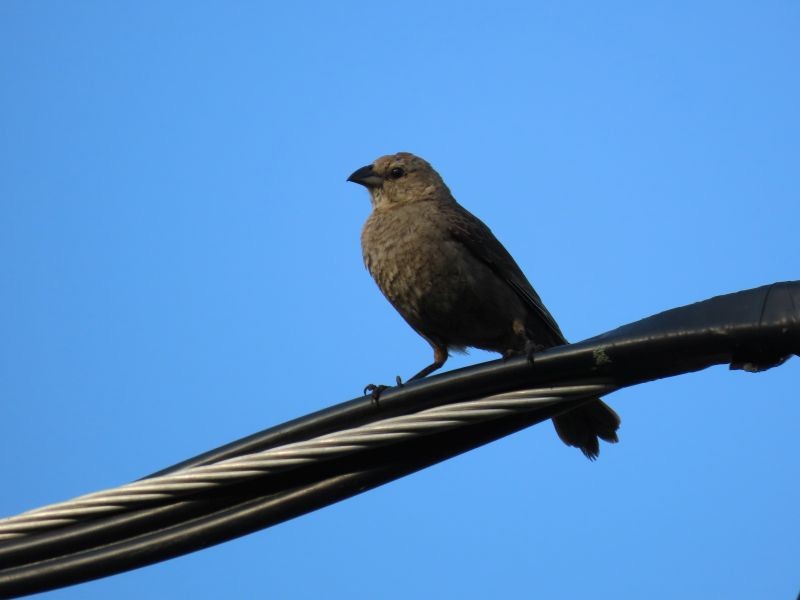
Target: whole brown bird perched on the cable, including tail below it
x=455, y=283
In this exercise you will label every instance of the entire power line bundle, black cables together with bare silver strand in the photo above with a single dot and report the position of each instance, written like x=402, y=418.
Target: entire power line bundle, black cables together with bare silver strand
x=753, y=330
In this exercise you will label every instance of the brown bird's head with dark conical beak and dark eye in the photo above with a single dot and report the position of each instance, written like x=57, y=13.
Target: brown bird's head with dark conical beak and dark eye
x=400, y=178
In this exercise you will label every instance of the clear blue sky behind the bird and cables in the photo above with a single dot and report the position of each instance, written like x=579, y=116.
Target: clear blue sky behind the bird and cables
x=181, y=267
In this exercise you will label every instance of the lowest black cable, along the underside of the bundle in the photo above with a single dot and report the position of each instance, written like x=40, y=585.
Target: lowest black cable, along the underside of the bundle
x=256, y=509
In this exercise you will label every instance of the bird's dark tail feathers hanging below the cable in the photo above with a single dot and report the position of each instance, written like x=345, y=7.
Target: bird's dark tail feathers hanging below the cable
x=582, y=426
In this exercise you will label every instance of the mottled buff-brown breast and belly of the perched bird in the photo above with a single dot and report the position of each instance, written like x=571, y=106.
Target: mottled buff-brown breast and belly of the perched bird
x=437, y=284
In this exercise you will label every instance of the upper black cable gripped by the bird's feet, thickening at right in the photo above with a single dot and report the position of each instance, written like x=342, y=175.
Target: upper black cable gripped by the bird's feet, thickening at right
x=760, y=325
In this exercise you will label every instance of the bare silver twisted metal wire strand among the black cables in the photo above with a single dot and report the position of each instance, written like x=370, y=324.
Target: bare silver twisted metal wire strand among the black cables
x=240, y=469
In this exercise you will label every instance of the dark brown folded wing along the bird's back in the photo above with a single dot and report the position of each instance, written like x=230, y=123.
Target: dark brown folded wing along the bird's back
x=483, y=245
